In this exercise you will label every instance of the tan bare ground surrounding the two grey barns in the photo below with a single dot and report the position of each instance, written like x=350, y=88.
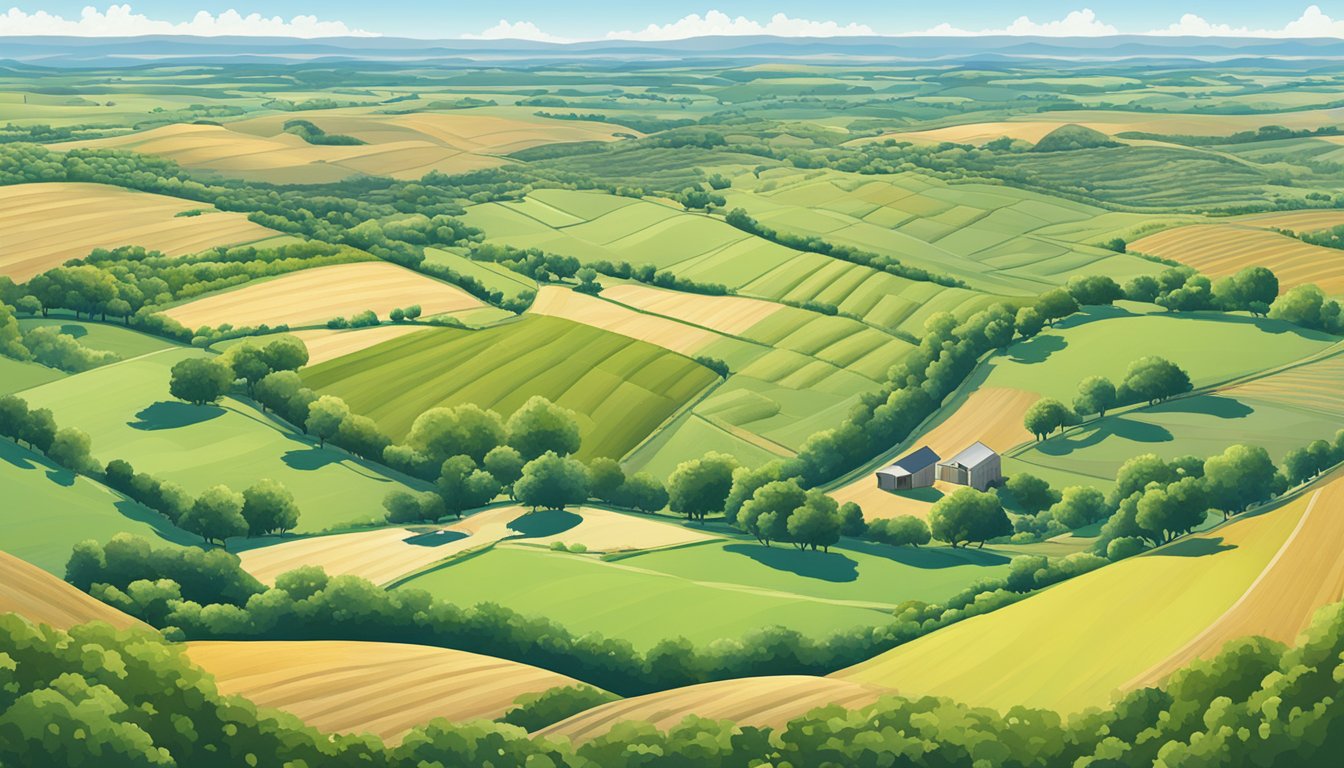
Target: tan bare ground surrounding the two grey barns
x=991, y=415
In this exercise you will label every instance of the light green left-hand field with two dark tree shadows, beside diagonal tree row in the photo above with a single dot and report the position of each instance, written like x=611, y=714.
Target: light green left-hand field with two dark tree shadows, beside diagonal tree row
x=127, y=411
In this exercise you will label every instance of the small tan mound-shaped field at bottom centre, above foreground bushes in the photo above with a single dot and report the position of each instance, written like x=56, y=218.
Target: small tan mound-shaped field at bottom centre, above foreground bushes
x=771, y=701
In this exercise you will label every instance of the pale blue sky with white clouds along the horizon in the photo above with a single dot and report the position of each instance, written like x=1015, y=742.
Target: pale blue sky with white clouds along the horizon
x=569, y=21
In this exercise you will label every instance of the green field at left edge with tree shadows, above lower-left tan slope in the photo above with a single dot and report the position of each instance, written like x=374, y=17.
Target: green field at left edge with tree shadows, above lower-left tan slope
x=48, y=510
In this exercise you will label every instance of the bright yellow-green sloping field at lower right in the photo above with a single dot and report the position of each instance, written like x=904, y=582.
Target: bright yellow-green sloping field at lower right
x=1135, y=614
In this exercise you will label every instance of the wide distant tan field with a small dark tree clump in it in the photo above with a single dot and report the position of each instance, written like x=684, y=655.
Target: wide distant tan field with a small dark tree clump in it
x=398, y=146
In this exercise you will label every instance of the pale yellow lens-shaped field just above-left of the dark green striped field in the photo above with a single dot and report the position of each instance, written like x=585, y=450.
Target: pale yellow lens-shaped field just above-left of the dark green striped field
x=314, y=297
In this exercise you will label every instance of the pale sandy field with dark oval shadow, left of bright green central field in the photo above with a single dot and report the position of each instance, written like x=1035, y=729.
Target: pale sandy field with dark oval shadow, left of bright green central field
x=381, y=556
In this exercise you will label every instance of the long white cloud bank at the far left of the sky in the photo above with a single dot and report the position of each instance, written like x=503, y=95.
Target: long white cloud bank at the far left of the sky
x=122, y=21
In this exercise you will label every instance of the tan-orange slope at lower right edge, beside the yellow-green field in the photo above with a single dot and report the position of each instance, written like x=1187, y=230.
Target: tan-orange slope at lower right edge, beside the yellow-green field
x=1306, y=575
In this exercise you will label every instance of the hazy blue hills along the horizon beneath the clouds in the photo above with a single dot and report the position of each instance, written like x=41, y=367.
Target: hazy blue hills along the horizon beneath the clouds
x=67, y=52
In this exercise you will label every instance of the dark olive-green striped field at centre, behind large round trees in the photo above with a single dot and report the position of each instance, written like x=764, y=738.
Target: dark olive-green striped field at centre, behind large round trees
x=620, y=389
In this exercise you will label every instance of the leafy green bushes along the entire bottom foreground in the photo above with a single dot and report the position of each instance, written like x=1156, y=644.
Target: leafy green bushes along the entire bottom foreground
x=101, y=697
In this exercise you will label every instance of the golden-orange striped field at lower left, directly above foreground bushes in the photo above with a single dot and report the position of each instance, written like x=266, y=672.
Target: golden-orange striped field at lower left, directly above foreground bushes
x=384, y=689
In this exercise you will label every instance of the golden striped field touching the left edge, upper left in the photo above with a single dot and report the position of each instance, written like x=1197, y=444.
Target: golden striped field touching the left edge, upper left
x=46, y=225
